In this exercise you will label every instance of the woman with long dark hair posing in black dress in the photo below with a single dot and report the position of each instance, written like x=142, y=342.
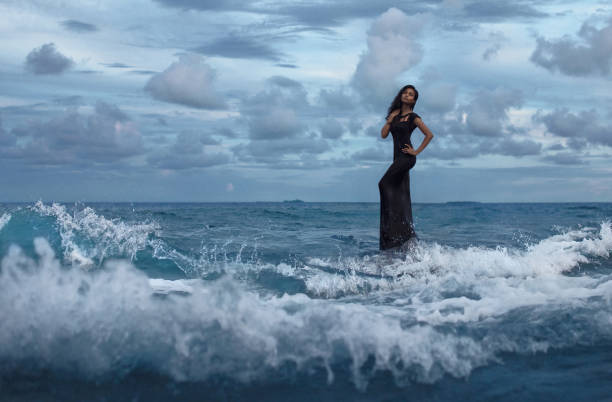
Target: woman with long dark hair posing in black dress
x=395, y=206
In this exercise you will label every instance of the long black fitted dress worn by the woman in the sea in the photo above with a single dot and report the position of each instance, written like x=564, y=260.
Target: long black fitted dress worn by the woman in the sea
x=396, y=225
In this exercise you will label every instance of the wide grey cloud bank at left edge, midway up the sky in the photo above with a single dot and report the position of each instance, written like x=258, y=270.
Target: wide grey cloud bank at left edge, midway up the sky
x=72, y=138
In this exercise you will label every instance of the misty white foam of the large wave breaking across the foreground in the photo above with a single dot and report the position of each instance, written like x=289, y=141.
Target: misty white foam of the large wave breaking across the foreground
x=106, y=322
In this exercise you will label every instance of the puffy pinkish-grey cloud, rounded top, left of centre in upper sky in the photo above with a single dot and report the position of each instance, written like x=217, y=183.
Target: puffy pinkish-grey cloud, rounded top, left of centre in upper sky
x=189, y=82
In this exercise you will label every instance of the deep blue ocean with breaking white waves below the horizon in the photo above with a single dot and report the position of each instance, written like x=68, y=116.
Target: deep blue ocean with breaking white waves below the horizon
x=294, y=302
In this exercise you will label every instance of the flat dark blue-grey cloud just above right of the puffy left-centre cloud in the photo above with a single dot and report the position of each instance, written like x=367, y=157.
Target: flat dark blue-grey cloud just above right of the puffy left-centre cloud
x=241, y=47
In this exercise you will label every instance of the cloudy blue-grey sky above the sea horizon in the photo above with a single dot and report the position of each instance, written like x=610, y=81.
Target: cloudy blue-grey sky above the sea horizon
x=210, y=100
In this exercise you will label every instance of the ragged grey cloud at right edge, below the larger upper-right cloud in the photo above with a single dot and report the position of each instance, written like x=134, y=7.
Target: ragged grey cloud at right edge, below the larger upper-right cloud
x=585, y=125
